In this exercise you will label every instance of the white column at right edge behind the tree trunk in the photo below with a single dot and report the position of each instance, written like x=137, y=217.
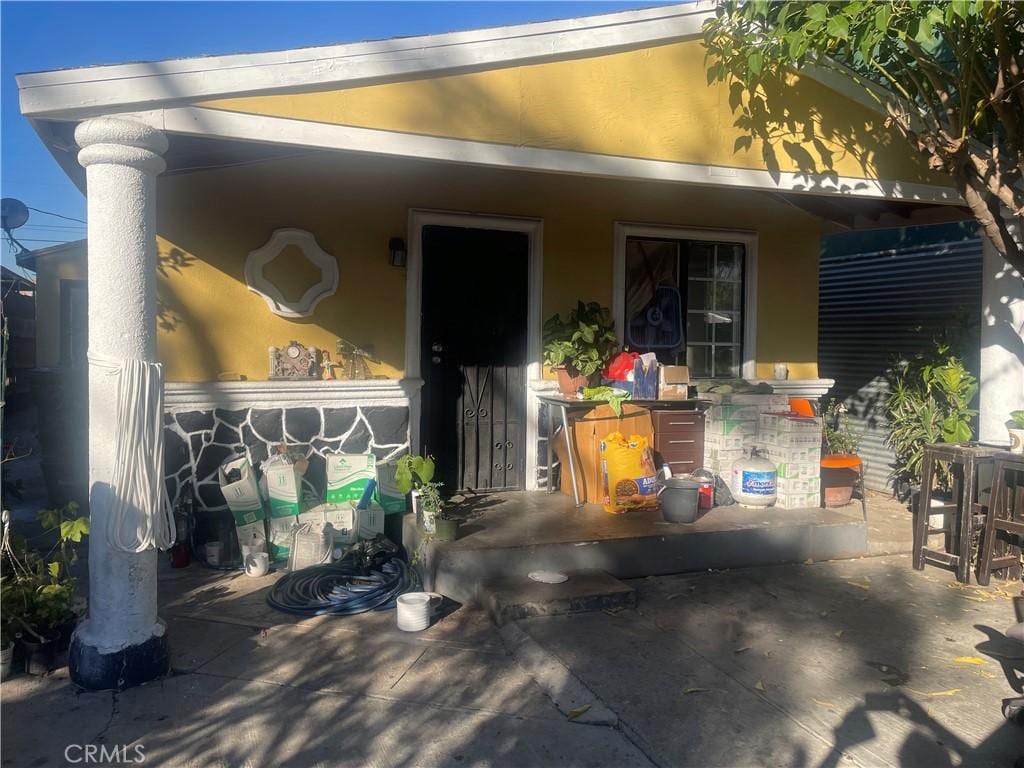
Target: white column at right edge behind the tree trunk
x=1002, y=388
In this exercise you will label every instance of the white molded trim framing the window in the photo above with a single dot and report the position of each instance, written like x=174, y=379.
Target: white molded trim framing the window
x=748, y=238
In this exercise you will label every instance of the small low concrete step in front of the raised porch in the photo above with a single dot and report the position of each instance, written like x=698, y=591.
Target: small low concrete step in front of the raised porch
x=510, y=599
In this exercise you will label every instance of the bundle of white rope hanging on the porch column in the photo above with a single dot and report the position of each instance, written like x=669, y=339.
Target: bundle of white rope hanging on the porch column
x=141, y=516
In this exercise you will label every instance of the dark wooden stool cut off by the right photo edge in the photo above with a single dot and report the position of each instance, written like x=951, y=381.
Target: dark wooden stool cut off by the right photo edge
x=1006, y=516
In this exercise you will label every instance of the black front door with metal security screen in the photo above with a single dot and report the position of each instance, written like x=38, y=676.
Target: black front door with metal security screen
x=474, y=357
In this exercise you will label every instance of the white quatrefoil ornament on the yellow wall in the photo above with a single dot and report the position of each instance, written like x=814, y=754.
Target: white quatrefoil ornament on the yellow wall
x=275, y=297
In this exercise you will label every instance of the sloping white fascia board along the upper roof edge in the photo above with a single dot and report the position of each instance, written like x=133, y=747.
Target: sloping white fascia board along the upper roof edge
x=88, y=92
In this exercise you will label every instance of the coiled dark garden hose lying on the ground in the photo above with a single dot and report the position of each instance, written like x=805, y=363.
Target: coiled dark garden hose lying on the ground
x=343, y=588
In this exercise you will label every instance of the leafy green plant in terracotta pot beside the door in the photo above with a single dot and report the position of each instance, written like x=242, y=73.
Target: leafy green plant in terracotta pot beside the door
x=579, y=349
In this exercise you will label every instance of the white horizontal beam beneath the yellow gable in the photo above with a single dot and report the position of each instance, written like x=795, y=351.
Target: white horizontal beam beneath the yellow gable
x=228, y=125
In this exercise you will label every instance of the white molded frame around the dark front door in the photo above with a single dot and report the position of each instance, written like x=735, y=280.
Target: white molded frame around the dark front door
x=534, y=229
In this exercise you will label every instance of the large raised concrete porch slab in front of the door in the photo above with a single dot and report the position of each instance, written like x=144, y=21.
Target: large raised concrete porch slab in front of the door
x=510, y=535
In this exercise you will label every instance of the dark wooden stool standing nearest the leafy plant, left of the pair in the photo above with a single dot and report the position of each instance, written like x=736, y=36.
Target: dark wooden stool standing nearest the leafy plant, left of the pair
x=964, y=461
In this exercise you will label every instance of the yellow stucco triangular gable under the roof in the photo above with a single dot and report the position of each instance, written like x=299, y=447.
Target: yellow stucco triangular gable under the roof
x=655, y=103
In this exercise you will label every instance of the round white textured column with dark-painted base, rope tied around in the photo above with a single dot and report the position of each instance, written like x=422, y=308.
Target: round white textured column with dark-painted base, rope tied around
x=122, y=643
